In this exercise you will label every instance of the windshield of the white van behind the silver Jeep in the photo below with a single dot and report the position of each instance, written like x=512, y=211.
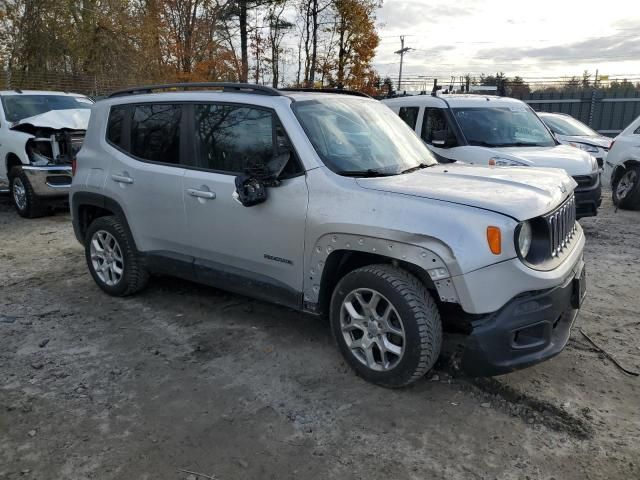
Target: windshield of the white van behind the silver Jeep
x=513, y=126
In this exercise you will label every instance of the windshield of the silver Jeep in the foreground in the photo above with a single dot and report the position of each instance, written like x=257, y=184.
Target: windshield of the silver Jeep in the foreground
x=354, y=135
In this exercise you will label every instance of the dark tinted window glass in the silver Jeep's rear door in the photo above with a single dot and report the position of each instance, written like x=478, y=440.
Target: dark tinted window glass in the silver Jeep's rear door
x=155, y=133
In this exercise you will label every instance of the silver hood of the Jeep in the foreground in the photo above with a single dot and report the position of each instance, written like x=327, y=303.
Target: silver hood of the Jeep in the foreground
x=519, y=192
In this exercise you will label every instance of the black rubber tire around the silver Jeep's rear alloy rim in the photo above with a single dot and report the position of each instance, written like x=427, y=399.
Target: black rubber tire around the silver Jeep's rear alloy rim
x=134, y=276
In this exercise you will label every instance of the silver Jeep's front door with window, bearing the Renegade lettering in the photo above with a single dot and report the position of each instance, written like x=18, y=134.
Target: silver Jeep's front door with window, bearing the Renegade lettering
x=239, y=248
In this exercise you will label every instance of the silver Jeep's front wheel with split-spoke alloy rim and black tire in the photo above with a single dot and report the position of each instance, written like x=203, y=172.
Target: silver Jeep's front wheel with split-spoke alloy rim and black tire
x=386, y=324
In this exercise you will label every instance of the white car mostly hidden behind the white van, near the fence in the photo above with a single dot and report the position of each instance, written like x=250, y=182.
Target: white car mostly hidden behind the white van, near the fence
x=570, y=131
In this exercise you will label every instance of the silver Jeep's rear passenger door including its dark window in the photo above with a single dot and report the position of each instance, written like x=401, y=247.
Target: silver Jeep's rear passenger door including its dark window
x=145, y=176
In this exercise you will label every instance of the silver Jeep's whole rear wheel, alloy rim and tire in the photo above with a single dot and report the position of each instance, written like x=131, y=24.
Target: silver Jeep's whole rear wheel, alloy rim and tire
x=112, y=258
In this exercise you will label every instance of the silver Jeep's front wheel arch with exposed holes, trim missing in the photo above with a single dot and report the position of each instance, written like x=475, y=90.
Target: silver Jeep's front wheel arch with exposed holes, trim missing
x=335, y=255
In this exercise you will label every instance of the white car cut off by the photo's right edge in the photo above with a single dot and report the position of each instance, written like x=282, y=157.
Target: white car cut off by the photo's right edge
x=622, y=167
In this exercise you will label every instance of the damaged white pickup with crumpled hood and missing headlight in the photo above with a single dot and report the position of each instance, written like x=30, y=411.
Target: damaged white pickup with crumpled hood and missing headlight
x=40, y=134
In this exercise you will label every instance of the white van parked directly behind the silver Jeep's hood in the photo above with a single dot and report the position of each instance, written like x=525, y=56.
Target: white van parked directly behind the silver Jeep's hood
x=500, y=131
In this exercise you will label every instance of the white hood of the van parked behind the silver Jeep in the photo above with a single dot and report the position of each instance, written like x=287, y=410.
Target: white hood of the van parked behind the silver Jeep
x=573, y=160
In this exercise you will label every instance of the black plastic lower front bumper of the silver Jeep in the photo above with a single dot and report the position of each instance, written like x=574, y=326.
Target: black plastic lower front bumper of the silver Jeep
x=529, y=329
